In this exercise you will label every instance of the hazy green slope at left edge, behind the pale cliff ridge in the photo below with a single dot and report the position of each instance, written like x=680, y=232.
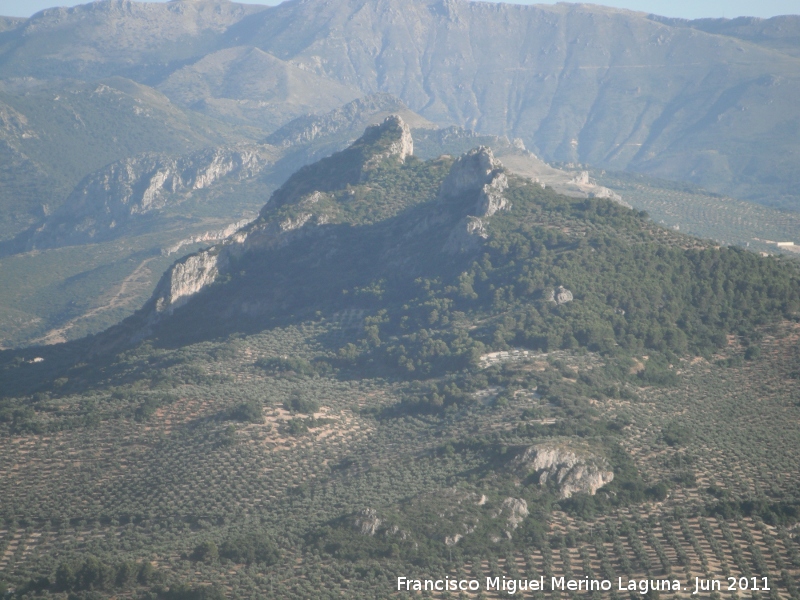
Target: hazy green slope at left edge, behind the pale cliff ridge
x=54, y=133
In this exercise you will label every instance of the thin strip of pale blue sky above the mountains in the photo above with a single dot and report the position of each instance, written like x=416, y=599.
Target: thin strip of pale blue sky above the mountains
x=689, y=9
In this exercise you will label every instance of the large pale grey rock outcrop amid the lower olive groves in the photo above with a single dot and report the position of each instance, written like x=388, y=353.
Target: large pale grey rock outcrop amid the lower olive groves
x=573, y=469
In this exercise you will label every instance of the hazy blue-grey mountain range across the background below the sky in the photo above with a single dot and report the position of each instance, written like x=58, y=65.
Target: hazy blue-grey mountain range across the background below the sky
x=710, y=101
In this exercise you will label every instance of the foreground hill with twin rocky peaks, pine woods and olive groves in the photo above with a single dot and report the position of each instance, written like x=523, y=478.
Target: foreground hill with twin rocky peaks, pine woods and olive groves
x=414, y=368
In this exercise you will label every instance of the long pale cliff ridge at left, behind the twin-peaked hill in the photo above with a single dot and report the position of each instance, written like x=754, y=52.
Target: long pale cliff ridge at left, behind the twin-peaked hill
x=105, y=201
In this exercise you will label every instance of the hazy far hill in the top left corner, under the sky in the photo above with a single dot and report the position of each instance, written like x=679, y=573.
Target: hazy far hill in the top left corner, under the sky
x=117, y=37
